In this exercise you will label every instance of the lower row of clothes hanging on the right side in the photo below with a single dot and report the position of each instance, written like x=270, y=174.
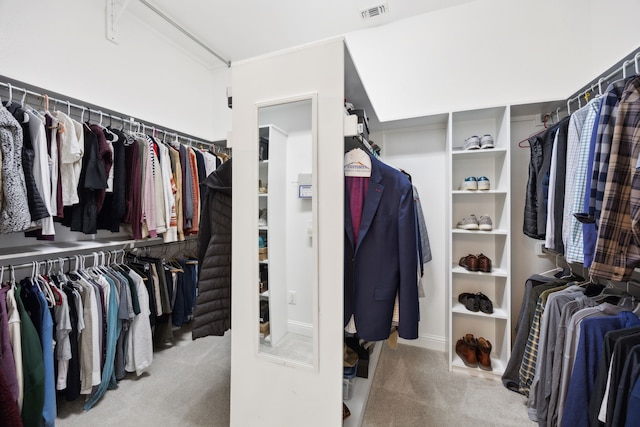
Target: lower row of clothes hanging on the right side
x=563, y=367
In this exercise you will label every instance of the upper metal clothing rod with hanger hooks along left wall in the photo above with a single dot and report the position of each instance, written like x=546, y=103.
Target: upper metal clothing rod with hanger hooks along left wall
x=131, y=122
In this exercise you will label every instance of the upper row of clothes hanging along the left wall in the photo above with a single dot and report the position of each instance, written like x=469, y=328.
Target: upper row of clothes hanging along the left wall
x=77, y=174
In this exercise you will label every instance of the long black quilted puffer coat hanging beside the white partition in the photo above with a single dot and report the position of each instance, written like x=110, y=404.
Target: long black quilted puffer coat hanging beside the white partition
x=213, y=305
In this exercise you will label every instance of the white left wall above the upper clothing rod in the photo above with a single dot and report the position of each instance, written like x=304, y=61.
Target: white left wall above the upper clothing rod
x=61, y=46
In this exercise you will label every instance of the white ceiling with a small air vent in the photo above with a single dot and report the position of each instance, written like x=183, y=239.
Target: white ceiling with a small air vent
x=241, y=29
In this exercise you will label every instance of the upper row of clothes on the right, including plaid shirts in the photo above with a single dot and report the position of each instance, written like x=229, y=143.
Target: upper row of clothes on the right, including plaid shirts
x=600, y=195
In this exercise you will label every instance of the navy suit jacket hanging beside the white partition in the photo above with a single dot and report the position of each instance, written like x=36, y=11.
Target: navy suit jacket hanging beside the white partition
x=384, y=261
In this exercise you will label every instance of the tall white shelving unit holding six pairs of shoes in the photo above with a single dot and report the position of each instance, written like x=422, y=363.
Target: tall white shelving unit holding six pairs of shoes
x=494, y=163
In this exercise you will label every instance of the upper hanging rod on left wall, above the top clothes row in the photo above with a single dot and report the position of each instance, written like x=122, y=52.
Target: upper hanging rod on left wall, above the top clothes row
x=19, y=92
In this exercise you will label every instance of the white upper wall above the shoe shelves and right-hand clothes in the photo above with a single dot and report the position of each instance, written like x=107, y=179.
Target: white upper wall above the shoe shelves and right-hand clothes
x=491, y=52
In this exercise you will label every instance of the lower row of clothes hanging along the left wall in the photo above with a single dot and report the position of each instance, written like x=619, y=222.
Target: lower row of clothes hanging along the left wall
x=101, y=321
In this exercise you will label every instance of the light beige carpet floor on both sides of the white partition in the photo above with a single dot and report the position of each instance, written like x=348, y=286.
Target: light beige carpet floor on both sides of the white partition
x=188, y=385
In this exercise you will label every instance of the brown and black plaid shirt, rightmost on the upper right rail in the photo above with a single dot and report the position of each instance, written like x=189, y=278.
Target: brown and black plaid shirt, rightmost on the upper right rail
x=617, y=250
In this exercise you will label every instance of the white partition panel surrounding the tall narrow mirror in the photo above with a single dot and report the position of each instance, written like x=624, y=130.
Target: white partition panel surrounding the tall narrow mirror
x=265, y=393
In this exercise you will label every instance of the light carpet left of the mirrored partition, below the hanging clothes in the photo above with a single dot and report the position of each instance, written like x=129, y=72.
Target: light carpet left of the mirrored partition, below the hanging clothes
x=187, y=385
